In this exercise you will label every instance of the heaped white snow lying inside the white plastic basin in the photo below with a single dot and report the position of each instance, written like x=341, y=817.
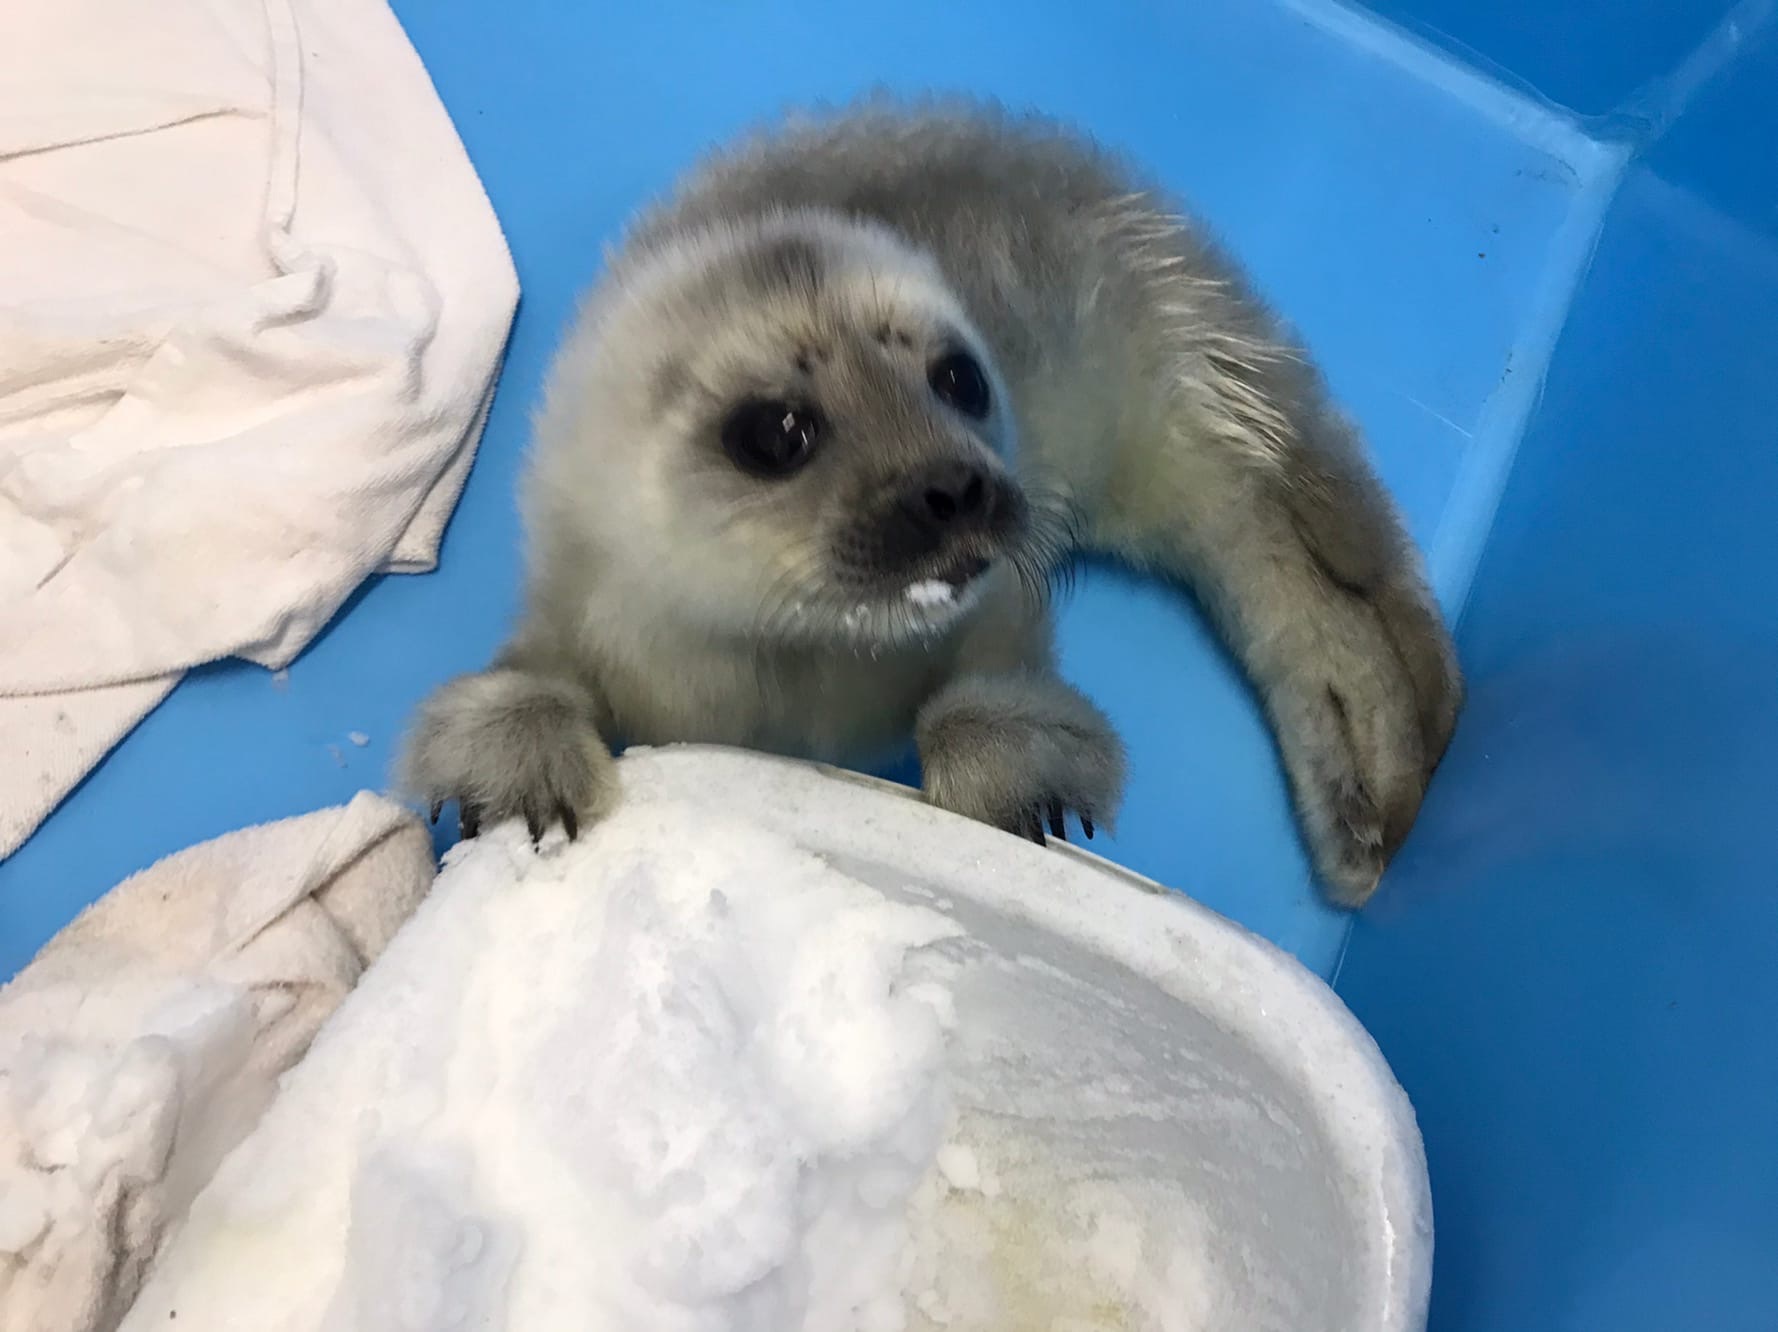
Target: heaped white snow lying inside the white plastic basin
x=678, y=1075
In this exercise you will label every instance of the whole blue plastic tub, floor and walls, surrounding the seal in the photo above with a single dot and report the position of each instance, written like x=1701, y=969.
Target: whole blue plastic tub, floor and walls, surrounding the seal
x=1539, y=259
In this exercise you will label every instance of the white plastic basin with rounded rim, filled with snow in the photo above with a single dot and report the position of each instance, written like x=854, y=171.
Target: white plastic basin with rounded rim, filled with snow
x=671, y=1080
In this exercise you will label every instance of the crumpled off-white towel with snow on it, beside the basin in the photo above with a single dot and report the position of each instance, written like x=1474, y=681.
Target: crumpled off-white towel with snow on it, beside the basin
x=147, y=1039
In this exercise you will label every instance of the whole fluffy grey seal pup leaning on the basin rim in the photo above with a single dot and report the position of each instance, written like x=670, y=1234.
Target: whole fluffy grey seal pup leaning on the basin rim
x=837, y=415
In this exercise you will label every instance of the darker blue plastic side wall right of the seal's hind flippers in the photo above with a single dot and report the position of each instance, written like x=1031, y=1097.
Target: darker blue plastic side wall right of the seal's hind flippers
x=1574, y=968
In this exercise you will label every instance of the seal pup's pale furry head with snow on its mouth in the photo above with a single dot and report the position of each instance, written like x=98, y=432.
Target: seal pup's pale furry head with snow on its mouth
x=787, y=428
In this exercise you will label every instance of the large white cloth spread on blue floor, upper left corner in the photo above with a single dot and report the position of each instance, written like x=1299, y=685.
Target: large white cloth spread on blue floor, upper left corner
x=252, y=307
